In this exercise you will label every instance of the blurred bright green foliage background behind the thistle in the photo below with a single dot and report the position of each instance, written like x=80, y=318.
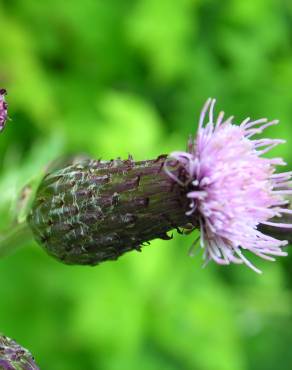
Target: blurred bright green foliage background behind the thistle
x=110, y=78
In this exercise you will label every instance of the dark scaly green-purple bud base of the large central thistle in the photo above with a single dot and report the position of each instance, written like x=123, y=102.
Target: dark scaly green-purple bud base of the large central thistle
x=95, y=211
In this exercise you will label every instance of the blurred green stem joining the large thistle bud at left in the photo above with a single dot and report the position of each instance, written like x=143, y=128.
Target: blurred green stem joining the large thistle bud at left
x=13, y=238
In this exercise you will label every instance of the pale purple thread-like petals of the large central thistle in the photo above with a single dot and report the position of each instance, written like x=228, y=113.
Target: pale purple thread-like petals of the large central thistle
x=232, y=189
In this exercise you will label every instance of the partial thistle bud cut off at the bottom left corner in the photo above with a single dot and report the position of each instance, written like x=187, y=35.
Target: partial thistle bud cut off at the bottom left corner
x=15, y=357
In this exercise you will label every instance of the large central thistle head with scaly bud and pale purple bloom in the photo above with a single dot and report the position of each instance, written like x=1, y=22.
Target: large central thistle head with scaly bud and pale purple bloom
x=94, y=211
